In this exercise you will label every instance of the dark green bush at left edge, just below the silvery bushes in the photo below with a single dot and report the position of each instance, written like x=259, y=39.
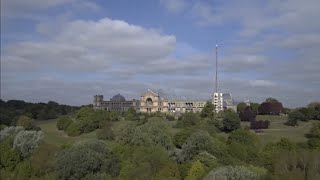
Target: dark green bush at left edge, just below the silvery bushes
x=9, y=157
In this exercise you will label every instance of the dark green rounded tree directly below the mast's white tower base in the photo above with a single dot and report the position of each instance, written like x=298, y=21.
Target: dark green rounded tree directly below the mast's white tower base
x=231, y=121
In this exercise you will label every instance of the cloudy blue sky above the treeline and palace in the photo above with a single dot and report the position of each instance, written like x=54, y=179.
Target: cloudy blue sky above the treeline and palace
x=69, y=50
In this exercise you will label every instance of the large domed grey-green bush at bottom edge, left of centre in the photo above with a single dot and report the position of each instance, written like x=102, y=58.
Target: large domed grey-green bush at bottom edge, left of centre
x=85, y=158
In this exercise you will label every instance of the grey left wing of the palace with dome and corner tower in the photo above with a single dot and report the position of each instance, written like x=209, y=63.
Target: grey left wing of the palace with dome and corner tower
x=117, y=103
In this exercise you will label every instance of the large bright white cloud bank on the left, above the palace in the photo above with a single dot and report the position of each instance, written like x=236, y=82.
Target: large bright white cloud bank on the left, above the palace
x=89, y=46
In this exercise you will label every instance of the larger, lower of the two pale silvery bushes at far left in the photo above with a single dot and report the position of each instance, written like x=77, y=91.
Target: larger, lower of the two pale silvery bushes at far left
x=27, y=141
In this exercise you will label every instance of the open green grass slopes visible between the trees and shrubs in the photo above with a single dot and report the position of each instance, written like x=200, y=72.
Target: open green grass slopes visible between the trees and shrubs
x=276, y=131
